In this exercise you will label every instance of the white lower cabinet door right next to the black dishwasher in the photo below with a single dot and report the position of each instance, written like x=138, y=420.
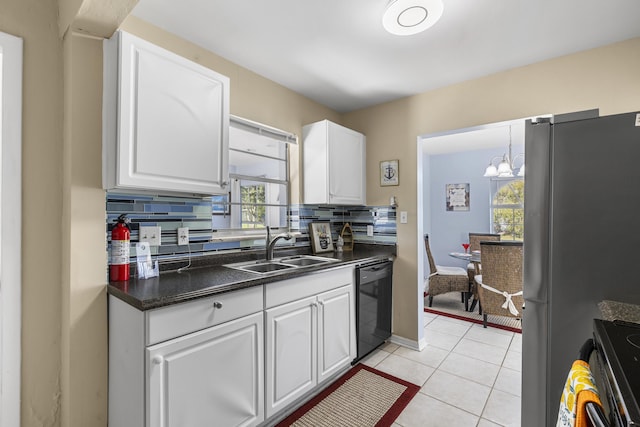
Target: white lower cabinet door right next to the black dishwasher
x=336, y=319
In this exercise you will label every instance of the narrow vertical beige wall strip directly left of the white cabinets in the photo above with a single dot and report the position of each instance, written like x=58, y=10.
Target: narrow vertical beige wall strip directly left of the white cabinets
x=84, y=308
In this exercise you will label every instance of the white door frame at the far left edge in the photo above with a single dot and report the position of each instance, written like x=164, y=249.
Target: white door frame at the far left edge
x=10, y=228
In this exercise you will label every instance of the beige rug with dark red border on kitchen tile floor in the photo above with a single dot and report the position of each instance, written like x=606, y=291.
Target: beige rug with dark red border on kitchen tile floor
x=363, y=397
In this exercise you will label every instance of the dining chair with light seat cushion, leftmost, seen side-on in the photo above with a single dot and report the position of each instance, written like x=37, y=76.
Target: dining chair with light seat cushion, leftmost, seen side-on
x=444, y=279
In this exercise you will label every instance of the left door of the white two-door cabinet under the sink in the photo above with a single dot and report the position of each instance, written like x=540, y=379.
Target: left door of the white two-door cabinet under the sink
x=290, y=352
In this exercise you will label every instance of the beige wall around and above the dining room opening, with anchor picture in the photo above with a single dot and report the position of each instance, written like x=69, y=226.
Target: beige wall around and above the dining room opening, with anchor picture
x=605, y=78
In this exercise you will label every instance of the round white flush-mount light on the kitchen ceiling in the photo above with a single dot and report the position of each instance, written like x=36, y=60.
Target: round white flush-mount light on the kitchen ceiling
x=407, y=17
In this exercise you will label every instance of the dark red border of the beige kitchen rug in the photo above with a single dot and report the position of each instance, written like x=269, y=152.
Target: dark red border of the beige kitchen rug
x=387, y=419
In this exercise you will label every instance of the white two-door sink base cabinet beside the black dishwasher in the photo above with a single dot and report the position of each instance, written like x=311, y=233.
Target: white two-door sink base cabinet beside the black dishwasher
x=310, y=339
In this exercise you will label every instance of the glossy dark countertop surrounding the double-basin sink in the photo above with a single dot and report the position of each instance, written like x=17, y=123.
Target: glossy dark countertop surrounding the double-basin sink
x=208, y=276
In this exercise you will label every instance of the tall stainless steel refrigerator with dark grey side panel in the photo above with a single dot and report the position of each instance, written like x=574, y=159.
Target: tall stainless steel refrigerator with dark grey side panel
x=581, y=244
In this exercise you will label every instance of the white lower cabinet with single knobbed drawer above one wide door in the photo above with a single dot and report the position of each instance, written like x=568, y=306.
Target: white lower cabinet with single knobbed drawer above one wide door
x=190, y=364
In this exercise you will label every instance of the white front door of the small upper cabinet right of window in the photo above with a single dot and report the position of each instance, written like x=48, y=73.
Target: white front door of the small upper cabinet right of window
x=346, y=166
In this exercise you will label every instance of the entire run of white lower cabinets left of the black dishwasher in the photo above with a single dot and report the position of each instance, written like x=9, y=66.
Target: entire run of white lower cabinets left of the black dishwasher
x=232, y=359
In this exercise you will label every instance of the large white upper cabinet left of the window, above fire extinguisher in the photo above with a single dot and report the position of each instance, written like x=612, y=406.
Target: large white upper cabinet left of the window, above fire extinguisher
x=165, y=121
